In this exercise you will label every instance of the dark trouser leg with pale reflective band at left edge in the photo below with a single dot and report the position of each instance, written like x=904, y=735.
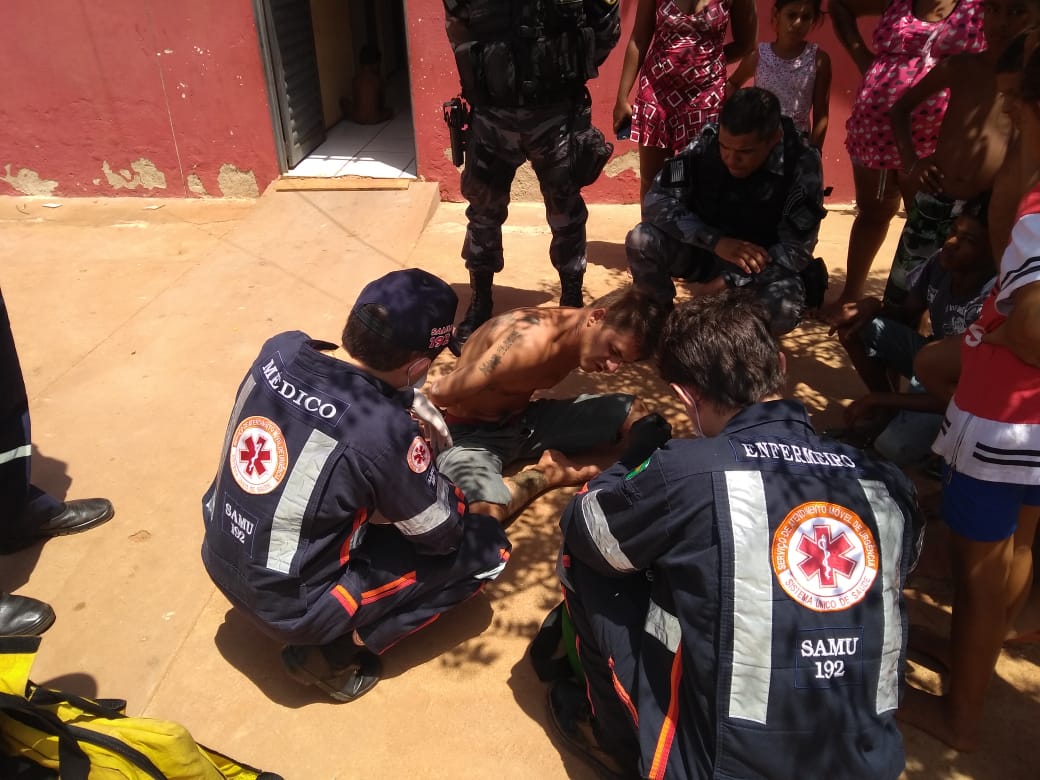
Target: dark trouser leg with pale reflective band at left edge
x=16, y=492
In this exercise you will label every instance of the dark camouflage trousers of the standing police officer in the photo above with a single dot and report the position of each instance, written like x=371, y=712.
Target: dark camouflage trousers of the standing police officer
x=501, y=141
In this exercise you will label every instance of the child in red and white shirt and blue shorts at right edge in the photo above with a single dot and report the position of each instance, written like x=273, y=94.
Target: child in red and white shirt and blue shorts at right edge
x=990, y=440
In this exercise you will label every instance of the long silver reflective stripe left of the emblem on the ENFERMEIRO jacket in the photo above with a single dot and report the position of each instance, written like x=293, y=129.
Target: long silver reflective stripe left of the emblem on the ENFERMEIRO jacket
x=752, y=606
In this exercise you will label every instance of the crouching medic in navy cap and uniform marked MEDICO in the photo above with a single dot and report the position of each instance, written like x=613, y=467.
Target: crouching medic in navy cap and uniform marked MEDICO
x=328, y=523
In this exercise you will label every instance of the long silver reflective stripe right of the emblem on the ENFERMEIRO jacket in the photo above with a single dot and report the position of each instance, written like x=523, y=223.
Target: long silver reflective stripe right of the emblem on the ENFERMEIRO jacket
x=891, y=524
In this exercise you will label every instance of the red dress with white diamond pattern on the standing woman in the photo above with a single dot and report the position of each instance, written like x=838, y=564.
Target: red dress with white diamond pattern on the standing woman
x=683, y=82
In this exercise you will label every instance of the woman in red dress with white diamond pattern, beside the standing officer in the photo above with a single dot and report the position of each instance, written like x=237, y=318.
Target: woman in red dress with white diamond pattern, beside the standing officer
x=677, y=48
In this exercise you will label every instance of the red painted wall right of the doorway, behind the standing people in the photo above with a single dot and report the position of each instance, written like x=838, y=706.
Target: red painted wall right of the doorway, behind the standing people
x=434, y=81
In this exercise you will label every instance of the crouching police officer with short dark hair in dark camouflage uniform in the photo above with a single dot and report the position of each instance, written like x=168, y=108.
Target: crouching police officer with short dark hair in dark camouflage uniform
x=740, y=206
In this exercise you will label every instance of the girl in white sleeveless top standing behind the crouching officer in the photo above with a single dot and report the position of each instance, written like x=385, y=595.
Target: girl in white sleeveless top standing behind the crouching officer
x=799, y=73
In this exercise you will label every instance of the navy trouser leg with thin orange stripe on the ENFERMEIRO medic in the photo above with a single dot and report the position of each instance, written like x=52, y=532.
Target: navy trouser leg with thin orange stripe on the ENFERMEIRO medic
x=610, y=618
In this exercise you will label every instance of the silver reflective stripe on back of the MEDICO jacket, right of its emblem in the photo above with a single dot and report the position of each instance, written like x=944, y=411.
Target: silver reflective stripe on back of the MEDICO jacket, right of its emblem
x=289, y=519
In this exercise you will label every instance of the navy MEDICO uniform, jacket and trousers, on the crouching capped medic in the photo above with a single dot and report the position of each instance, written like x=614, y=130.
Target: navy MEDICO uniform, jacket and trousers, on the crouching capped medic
x=328, y=514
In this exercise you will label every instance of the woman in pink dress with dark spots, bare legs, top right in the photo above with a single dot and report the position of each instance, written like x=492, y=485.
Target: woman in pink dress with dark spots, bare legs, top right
x=912, y=37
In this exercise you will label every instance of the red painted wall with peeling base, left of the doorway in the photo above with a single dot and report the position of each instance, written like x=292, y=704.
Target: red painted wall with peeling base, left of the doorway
x=141, y=87
